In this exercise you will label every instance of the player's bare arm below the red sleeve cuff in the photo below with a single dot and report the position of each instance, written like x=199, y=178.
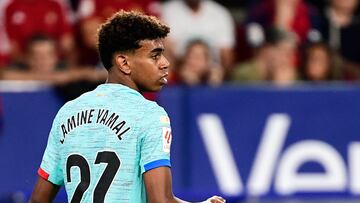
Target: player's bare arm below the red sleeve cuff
x=44, y=191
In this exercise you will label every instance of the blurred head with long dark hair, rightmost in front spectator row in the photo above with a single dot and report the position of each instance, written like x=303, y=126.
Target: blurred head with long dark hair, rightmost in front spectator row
x=318, y=64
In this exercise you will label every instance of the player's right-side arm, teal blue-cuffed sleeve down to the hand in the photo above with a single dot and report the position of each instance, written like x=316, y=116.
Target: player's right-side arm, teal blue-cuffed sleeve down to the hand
x=155, y=158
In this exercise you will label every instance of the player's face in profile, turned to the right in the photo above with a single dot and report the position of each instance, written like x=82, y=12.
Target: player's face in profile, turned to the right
x=149, y=67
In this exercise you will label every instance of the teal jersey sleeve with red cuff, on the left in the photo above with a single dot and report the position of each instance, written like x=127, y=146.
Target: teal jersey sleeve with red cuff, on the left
x=50, y=168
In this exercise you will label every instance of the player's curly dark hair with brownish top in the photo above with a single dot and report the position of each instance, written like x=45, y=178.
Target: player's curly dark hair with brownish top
x=123, y=32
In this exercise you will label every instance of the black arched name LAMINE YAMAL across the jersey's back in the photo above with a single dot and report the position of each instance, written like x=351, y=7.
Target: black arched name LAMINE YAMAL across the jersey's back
x=104, y=117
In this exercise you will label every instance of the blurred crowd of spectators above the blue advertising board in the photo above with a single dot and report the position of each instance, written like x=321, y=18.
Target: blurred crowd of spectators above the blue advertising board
x=282, y=42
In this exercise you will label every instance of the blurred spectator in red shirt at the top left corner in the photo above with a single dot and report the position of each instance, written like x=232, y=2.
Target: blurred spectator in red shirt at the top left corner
x=25, y=18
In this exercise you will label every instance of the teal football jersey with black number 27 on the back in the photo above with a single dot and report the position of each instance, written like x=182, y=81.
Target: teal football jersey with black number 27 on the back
x=101, y=143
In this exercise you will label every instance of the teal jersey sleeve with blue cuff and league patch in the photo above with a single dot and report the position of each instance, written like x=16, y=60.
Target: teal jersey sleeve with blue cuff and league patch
x=156, y=140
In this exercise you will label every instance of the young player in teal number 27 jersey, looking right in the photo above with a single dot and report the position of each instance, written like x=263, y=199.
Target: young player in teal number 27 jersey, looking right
x=111, y=144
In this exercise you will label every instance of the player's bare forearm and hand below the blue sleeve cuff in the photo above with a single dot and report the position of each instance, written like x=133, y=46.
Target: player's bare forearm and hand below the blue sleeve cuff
x=158, y=186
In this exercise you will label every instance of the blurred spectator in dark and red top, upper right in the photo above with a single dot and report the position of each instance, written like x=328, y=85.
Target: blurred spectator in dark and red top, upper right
x=289, y=15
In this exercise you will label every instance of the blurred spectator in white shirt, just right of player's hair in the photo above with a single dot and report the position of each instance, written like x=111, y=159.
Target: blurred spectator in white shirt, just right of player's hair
x=200, y=19
